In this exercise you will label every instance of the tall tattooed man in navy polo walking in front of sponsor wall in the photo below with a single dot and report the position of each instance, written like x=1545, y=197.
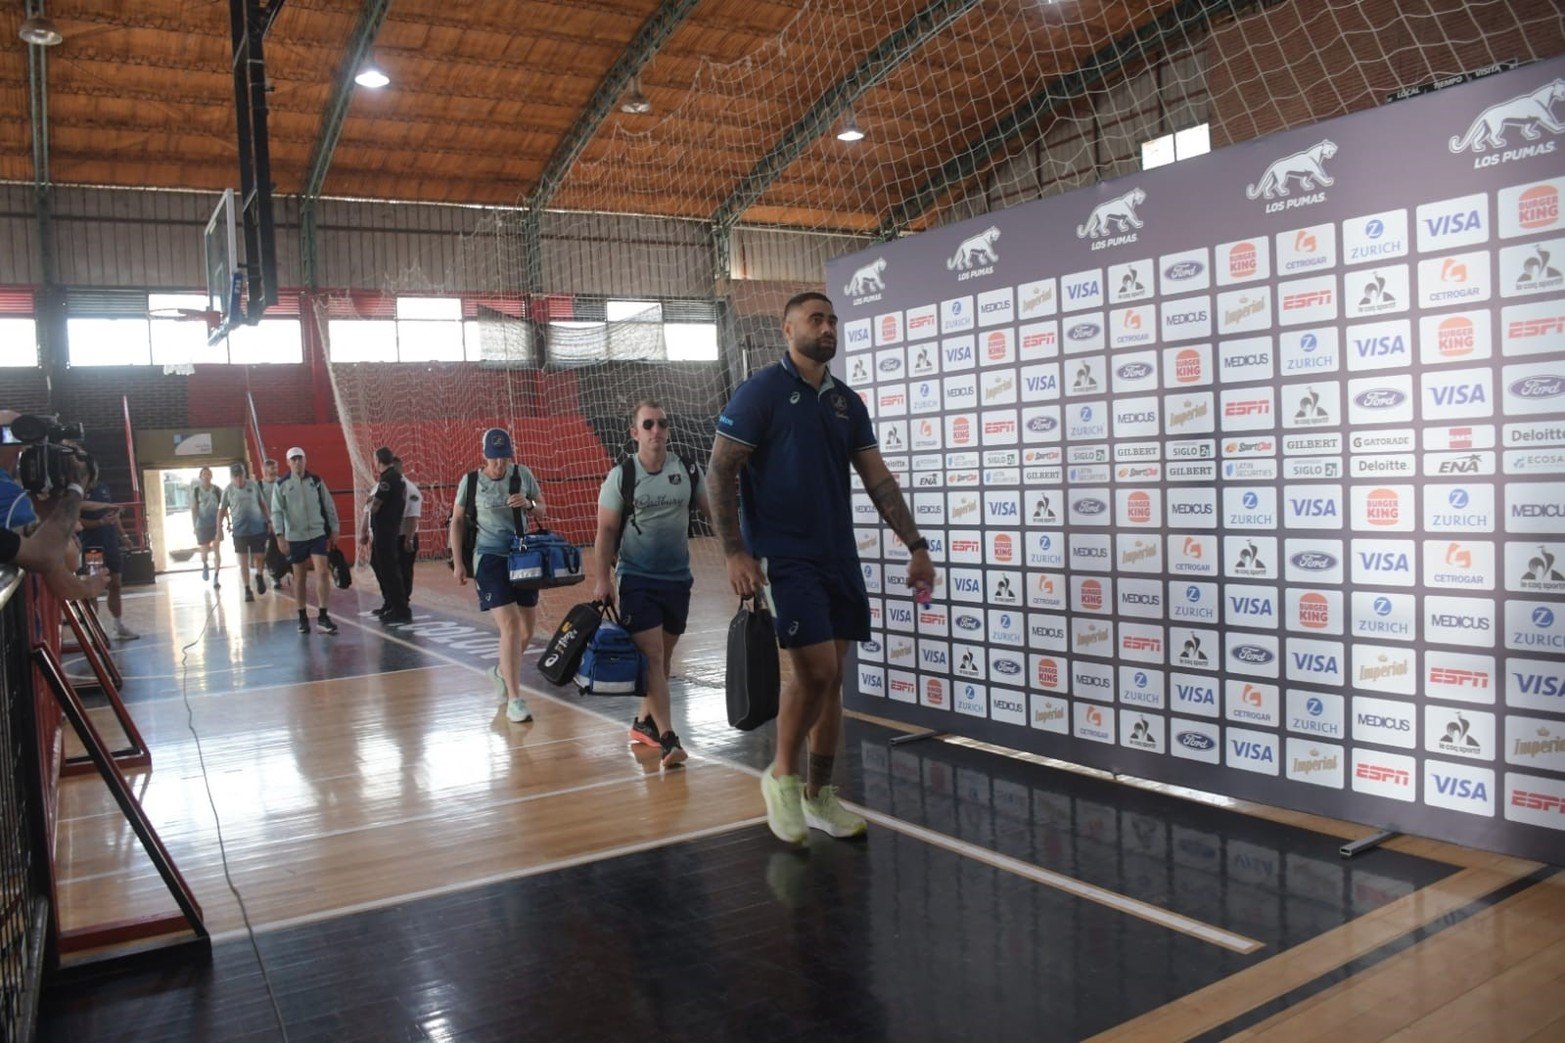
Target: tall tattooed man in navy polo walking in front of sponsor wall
x=780, y=494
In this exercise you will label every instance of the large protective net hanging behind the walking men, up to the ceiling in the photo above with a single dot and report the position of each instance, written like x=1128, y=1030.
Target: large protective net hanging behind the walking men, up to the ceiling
x=966, y=107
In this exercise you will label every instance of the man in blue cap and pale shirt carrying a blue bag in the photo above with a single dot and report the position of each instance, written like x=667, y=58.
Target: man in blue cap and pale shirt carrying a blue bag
x=495, y=499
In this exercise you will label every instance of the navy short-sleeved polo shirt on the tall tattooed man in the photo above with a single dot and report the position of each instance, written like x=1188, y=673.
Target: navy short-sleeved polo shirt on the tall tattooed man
x=794, y=494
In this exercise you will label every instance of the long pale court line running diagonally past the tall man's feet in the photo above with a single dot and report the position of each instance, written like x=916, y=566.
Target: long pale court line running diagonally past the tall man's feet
x=1088, y=892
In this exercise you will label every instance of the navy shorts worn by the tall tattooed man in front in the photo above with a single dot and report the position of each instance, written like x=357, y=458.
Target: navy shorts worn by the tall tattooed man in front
x=818, y=601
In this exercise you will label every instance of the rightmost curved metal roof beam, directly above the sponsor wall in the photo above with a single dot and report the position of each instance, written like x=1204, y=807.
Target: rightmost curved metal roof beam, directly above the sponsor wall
x=1176, y=24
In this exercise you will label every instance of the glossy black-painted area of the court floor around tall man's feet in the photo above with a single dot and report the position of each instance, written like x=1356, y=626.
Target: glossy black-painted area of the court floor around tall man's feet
x=733, y=937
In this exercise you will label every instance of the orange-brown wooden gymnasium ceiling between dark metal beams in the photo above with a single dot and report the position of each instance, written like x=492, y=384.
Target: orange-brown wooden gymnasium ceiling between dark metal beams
x=486, y=95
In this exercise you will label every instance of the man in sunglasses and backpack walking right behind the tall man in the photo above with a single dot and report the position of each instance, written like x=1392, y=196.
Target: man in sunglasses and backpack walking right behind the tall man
x=652, y=536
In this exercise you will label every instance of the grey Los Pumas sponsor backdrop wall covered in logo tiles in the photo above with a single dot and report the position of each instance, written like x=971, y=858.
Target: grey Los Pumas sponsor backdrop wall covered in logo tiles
x=1247, y=474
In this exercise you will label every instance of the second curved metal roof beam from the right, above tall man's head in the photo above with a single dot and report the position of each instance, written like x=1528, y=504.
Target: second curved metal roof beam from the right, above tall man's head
x=838, y=99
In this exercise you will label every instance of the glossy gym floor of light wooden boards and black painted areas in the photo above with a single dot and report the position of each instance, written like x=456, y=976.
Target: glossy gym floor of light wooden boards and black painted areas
x=417, y=868
